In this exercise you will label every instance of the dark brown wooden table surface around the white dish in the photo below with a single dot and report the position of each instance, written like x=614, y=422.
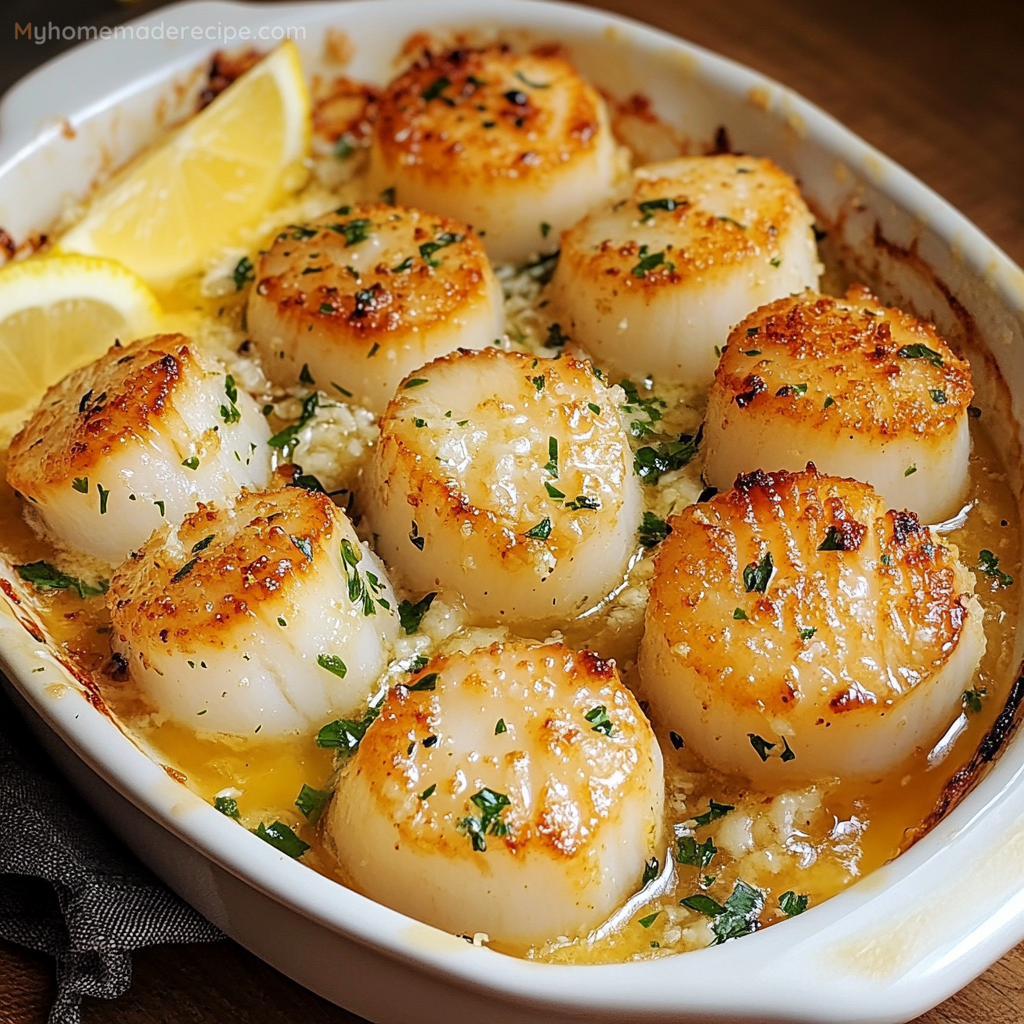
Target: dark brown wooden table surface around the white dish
x=936, y=84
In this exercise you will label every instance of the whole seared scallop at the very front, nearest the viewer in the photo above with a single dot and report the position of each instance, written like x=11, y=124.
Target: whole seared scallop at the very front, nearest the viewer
x=516, y=791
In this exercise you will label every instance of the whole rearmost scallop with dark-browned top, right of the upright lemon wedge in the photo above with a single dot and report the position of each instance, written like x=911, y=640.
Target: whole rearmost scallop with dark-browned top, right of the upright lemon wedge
x=519, y=146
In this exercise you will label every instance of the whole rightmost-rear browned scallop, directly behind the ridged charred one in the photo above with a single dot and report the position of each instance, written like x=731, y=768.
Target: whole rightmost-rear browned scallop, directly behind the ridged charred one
x=857, y=389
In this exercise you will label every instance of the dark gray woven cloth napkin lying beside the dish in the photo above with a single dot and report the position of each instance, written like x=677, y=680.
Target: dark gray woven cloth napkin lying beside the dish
x=68, y=887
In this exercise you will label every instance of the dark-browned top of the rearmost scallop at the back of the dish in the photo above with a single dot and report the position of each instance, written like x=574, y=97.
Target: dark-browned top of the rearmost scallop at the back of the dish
x=488, y=115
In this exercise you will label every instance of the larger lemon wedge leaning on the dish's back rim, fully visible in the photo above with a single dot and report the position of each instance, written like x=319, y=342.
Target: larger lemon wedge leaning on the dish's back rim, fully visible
x=176, y=207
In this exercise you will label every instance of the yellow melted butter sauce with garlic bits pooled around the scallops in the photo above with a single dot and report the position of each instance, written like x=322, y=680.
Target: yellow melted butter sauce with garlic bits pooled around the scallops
x=815, y=841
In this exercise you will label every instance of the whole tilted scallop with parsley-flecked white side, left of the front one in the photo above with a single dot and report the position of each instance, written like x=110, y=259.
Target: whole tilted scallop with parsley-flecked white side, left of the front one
x=268, y=617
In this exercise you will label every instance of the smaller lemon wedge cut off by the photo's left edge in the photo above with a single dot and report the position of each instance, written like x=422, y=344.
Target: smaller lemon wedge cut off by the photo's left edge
x=60, y=313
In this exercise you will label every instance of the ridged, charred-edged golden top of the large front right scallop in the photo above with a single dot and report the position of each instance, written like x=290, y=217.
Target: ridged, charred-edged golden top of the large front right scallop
x=794, y=585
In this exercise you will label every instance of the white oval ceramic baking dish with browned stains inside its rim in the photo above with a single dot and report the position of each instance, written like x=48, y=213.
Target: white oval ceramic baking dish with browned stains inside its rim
x=885, y=951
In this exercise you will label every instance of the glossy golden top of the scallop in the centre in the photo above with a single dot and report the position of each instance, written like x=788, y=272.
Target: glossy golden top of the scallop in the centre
x=509, y=442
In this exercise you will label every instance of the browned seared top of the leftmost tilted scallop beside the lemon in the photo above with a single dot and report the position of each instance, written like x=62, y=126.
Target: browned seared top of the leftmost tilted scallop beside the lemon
x=100, y=409
